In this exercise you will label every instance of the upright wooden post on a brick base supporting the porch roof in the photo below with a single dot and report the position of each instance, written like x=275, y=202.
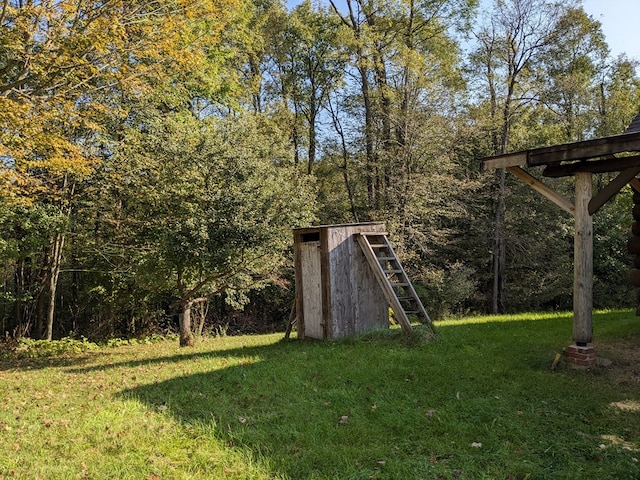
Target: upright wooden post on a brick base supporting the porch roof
x=583, y=262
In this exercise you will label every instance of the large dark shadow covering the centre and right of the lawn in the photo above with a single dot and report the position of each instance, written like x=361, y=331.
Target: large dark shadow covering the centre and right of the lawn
x=375, y=408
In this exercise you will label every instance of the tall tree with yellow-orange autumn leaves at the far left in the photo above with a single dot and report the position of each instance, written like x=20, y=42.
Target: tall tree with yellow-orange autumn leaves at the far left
x=65, y=67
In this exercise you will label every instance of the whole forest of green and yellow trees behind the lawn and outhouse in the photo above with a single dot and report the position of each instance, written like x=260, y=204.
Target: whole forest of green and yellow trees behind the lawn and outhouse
x=155, y=154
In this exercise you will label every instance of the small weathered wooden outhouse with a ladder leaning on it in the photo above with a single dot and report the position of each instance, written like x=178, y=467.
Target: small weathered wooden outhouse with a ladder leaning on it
x=337, y=293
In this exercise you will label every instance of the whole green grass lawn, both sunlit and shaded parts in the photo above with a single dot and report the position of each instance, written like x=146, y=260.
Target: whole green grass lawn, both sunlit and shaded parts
x=480, y=403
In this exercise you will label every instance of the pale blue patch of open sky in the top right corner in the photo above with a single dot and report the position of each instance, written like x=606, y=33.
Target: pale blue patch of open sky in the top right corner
x=620, y=24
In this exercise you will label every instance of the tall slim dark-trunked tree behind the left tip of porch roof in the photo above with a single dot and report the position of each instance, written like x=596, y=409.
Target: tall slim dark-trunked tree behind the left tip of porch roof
x=510, y=49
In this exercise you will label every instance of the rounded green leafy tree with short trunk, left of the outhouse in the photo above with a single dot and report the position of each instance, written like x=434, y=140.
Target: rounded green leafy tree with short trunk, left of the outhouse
x=213, y=201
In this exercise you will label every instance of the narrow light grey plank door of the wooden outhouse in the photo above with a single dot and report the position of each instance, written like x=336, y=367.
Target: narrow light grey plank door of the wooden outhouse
x=311, y=289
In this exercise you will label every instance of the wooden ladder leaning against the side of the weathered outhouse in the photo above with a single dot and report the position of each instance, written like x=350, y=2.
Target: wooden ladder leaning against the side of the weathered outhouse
x=394, y=280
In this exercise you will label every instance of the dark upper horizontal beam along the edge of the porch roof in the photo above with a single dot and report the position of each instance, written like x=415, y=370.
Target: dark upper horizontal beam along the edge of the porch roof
x=584, y=150
